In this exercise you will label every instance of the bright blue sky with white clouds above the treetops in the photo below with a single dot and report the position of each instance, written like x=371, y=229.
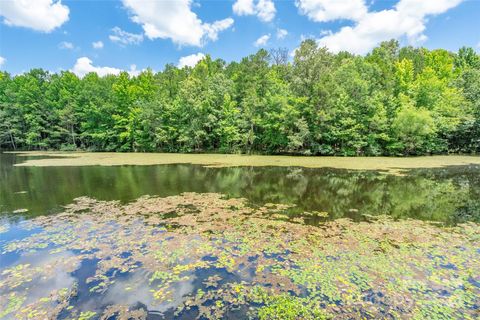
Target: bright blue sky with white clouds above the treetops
x=136, y=34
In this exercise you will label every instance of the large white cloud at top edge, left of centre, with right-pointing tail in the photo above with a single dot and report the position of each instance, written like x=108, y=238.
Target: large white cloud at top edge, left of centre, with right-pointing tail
x=174, y=20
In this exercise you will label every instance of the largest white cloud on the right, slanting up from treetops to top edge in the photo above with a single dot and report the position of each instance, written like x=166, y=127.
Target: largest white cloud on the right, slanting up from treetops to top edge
x=407, y=19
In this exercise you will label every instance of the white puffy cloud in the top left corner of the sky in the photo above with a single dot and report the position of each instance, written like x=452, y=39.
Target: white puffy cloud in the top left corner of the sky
x=40, y=15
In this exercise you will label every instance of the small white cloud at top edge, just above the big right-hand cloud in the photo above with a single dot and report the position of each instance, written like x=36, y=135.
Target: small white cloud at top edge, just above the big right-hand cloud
x=328, y=10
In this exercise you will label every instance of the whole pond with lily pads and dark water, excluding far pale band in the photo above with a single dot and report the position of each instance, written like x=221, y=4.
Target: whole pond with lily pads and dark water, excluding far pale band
x=188, y=241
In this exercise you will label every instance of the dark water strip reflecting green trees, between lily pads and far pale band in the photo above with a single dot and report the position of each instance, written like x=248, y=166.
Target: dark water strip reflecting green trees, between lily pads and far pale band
x=448, y=195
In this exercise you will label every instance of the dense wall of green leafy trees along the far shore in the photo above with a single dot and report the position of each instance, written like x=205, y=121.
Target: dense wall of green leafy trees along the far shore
x=393, y=101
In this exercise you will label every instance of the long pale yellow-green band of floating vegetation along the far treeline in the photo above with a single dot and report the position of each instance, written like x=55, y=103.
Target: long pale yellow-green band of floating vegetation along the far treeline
x=389, y=164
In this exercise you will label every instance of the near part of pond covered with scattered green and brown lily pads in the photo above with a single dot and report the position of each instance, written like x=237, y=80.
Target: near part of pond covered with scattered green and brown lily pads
x=208, y=257
